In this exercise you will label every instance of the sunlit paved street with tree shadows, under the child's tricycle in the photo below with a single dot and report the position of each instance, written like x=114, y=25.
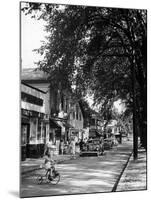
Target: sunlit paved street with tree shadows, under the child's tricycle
x=82, y=175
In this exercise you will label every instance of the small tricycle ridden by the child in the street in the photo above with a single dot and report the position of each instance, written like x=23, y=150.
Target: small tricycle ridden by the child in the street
x=49, y=177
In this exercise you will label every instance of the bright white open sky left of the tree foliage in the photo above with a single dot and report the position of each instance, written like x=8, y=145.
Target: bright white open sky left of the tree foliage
x=32, y=33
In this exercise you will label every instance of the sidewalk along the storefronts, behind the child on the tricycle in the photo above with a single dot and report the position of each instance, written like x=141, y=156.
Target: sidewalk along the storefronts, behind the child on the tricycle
x=31, y=164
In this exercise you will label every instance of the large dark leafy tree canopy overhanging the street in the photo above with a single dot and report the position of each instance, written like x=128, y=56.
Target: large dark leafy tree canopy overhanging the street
x=102, y=50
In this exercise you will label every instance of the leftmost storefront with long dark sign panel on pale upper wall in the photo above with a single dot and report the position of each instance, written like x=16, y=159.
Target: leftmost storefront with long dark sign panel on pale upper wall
x=34, y=126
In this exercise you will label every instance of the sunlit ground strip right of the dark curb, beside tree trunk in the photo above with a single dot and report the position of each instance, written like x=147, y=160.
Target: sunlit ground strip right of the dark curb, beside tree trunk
x=135, y=174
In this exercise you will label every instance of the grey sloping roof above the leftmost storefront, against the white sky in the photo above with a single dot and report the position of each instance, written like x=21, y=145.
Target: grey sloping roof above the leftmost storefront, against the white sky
x=34, y=74
